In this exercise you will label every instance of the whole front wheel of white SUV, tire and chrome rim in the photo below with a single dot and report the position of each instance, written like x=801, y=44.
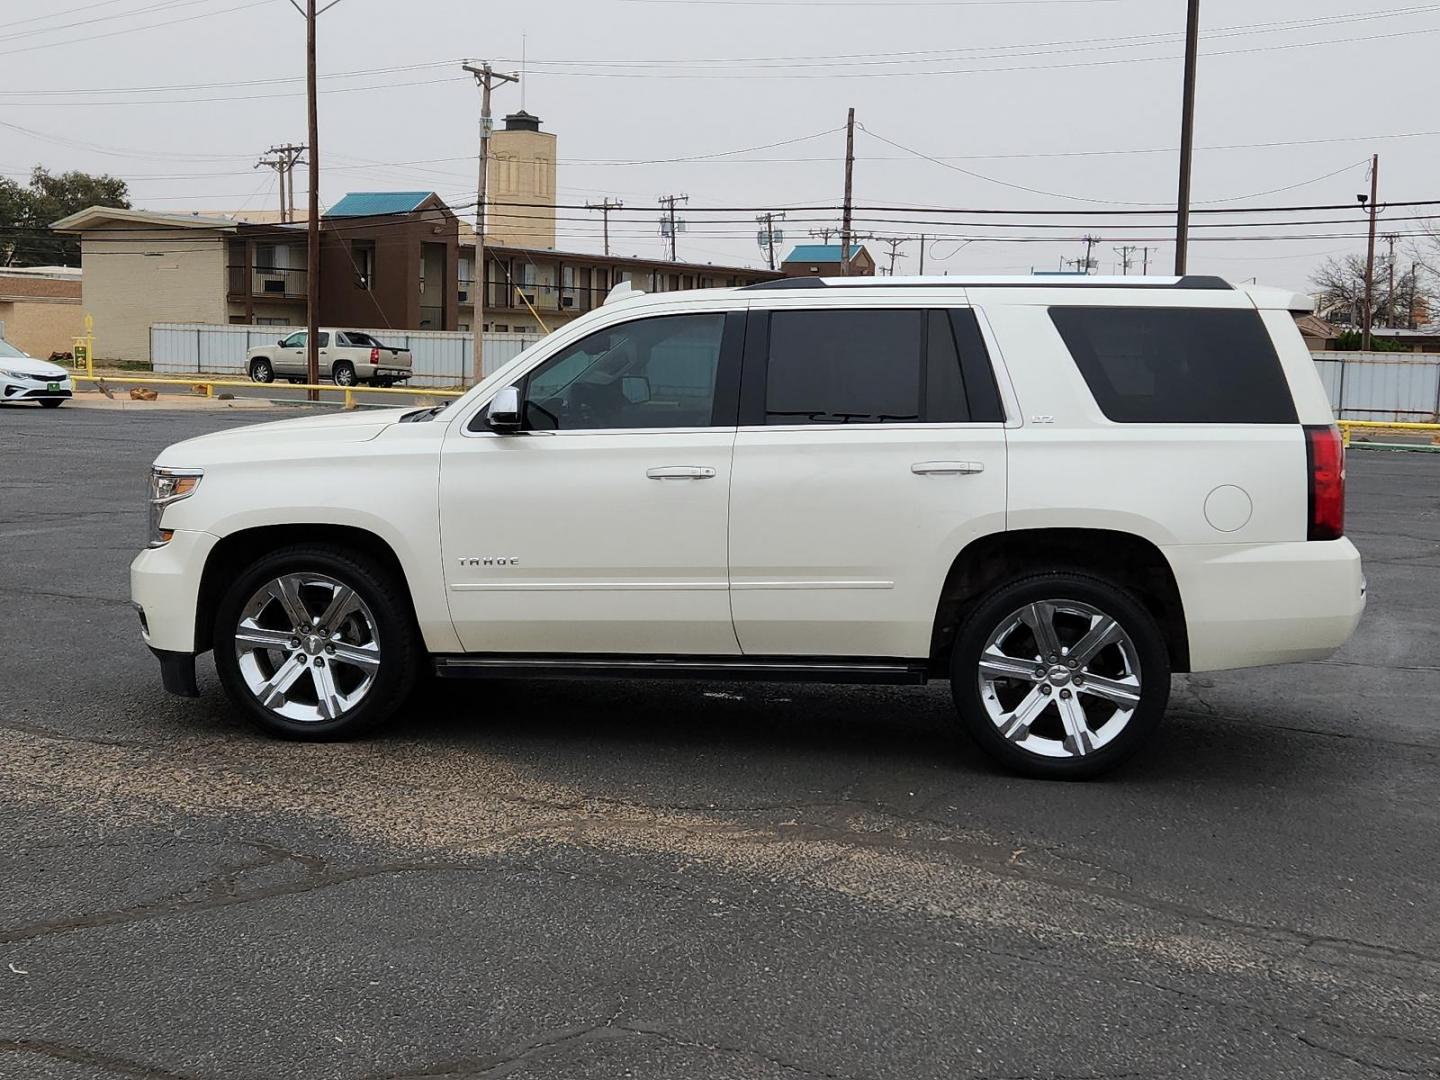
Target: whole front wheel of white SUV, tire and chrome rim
x=318, y=643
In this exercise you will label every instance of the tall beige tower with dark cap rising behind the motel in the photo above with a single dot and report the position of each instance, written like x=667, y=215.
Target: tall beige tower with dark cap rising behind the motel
x=521, y=185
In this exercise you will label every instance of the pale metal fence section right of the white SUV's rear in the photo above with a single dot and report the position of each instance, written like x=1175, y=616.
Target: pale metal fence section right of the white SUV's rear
x=1383, y=387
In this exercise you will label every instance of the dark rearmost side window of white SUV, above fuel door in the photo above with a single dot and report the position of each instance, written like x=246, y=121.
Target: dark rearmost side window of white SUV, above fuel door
x=1177, y=365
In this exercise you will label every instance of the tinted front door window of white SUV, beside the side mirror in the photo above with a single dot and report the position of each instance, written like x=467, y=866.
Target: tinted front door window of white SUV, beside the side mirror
x=649, y=374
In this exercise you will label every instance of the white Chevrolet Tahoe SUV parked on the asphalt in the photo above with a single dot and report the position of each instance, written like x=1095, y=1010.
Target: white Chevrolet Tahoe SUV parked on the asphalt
x=1052, y=495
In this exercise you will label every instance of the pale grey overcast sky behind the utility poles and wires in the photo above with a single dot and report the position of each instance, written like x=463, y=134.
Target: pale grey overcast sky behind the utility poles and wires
x=1075, y=100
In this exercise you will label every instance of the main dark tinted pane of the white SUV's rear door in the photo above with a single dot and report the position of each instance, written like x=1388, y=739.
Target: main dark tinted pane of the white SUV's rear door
x=845, y=368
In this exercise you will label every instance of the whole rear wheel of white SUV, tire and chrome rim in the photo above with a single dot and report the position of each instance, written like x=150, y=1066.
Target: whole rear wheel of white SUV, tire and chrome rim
x=1061, y=676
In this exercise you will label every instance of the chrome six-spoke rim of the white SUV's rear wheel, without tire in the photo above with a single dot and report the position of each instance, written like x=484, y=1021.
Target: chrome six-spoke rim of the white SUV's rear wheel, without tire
x=1061, y=679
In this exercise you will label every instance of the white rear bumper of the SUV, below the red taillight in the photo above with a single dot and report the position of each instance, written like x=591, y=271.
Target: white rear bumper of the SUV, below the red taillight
x=1248, y=606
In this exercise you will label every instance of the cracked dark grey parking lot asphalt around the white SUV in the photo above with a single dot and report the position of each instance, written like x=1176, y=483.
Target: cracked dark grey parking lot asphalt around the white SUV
x=571, y=881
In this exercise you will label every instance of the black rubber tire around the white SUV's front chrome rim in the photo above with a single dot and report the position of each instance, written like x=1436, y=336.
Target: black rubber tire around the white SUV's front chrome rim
x=402, y=653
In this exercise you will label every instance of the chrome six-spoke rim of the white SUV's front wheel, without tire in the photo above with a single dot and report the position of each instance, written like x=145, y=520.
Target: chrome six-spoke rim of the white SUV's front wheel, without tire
x=309, y=647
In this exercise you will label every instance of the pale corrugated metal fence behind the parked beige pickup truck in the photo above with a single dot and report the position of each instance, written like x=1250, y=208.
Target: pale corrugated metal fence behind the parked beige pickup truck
x=441, y=358
